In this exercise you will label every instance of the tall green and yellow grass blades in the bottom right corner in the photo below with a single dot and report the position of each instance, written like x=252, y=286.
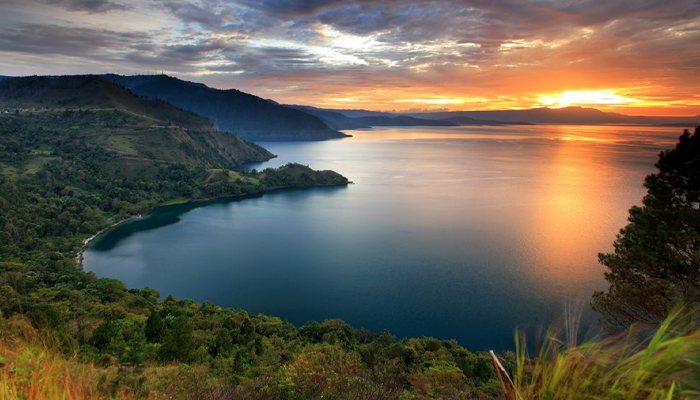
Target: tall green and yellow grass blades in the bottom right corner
x=659, y=365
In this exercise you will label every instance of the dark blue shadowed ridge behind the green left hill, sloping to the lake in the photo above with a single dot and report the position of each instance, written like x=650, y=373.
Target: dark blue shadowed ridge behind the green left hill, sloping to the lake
x=251, y=117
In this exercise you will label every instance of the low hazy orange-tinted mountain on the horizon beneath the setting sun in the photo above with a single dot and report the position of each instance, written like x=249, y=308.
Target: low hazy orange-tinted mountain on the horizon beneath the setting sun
x=568, y=115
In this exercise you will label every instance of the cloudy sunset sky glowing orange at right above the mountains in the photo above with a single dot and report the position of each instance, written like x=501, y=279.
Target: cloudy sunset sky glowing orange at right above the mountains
x=635, y=57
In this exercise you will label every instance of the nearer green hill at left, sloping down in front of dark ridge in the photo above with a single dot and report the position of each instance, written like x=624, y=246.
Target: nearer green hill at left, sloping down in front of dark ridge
x=97, y=111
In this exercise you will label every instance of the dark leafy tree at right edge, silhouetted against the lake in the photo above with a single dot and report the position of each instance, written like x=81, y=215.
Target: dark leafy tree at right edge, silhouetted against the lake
x=656, y=263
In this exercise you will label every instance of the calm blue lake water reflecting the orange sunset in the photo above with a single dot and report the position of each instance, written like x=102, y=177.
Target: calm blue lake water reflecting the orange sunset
x=463, y=233
